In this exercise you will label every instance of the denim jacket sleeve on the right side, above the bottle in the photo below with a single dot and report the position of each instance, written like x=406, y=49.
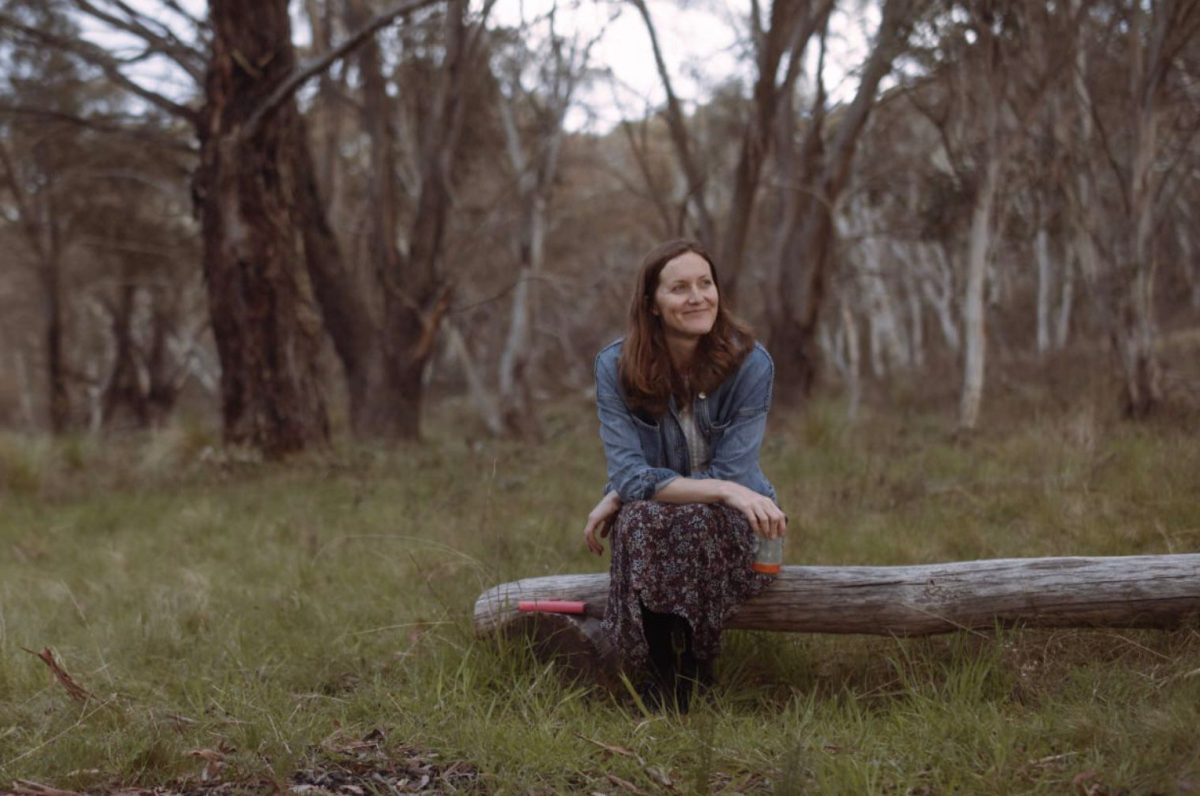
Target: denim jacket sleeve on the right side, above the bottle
x=737, y=448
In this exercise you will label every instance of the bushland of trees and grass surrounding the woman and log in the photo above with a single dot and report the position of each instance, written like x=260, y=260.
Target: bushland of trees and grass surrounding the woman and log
x=299, y=306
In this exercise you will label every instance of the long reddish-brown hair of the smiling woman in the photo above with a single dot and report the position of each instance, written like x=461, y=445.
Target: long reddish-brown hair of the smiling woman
x=647, y=375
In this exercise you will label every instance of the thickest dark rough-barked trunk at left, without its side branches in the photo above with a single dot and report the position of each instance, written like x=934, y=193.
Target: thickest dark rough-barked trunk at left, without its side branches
x=266, y=326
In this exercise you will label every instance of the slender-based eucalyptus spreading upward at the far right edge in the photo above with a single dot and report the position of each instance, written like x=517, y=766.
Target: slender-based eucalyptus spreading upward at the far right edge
x=1137, y=127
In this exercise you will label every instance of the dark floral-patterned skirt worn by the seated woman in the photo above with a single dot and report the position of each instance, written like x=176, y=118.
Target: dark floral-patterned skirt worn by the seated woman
x=692, y=560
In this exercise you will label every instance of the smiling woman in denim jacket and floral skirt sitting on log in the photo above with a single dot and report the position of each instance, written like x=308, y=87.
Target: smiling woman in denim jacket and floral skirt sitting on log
x=683, y=403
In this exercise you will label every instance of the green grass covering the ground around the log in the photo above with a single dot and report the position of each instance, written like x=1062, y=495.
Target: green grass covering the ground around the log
x=268, y=612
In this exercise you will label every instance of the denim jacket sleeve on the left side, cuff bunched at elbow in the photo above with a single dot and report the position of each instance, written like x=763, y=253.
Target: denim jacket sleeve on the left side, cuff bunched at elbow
x=629, y=472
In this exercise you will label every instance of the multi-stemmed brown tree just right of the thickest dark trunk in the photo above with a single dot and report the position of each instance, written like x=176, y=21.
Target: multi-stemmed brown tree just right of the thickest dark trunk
x=385, y=314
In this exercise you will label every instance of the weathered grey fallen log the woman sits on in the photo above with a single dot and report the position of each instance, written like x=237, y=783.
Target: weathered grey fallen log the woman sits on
x=927, y=600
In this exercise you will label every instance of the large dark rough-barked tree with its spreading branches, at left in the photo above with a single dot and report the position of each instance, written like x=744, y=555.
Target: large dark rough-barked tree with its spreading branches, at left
x=267, y=241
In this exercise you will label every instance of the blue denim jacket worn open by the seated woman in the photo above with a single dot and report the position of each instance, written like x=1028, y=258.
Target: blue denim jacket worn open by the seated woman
x=645, y=454
